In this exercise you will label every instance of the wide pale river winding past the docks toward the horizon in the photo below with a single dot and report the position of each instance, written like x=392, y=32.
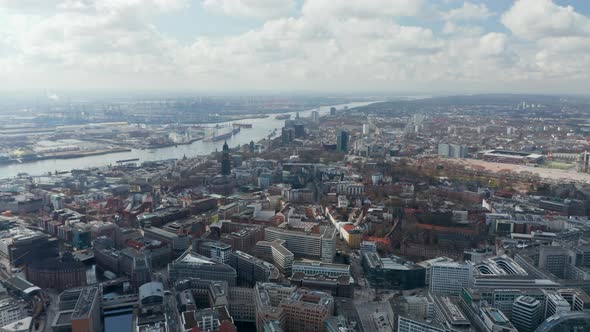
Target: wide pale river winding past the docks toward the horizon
x=261, y=128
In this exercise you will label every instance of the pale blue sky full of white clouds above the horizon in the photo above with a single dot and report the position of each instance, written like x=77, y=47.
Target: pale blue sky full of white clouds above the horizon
x=397, y=46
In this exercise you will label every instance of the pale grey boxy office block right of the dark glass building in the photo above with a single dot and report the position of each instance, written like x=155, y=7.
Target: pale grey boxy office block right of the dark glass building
x=449, y=278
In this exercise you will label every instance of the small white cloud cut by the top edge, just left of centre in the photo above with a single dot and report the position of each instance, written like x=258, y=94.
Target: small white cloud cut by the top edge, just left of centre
x=258, y=9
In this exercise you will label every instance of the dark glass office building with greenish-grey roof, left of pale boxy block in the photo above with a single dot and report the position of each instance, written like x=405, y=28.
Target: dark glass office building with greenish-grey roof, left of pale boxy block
x=392, y=272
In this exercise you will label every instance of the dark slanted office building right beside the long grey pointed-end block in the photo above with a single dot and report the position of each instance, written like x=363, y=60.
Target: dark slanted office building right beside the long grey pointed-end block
x=250, y=270
